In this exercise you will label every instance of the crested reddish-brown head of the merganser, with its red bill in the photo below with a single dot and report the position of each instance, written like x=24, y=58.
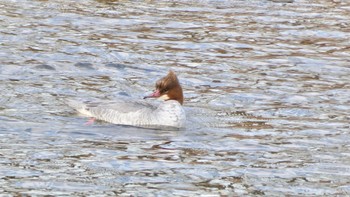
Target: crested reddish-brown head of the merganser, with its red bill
x=168, y=88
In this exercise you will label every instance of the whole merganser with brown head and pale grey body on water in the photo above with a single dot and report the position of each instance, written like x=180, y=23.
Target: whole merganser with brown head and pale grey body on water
x=168, y=114
